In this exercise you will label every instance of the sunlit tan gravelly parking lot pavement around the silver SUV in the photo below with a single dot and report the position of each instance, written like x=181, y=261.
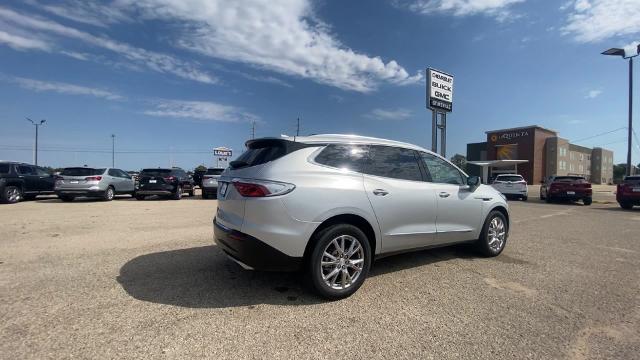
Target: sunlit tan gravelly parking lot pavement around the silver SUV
x=133, y=279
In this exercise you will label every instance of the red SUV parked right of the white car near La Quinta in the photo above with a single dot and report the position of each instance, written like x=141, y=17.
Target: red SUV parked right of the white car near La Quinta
x=570, y=188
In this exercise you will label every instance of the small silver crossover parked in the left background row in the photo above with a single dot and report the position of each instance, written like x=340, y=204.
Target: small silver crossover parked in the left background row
x=102, y=183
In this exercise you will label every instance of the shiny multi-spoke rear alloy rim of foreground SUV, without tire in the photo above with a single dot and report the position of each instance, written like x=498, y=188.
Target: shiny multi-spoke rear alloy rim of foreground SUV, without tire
x=342, y=262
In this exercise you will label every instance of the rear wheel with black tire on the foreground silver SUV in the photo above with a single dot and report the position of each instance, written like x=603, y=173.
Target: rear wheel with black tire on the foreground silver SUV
x=333, y=240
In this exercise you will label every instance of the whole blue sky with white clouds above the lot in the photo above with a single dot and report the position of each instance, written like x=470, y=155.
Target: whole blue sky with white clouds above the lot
x=174, y=78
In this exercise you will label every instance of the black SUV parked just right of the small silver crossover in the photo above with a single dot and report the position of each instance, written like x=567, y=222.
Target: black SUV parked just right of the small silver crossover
x=169, y=182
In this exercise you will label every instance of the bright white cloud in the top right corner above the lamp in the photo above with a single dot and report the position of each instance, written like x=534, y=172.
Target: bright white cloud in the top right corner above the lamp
x=596, y=20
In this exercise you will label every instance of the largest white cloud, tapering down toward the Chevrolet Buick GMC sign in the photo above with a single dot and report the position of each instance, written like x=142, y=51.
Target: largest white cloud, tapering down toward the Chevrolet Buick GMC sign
x=284, y=36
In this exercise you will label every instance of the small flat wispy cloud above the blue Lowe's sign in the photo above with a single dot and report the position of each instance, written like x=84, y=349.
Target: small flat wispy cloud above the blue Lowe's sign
x=200, y=110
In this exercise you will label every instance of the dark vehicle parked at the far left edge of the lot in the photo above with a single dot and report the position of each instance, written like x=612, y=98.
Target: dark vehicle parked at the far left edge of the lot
x=20, y=181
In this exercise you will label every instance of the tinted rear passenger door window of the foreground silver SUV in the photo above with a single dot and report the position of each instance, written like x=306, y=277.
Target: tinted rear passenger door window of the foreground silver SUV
x=394, y=163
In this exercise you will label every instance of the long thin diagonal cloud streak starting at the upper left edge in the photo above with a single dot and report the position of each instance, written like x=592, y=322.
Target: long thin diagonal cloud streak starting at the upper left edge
x=152, y=60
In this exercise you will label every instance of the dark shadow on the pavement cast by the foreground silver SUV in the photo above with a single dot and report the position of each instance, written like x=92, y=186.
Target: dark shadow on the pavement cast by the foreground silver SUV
x=204, y=277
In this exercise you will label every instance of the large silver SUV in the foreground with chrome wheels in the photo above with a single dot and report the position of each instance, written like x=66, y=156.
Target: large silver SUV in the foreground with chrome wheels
x=330, y=204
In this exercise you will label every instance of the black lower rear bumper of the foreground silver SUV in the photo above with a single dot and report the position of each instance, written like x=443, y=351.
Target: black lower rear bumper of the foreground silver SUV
x=251, y=252
